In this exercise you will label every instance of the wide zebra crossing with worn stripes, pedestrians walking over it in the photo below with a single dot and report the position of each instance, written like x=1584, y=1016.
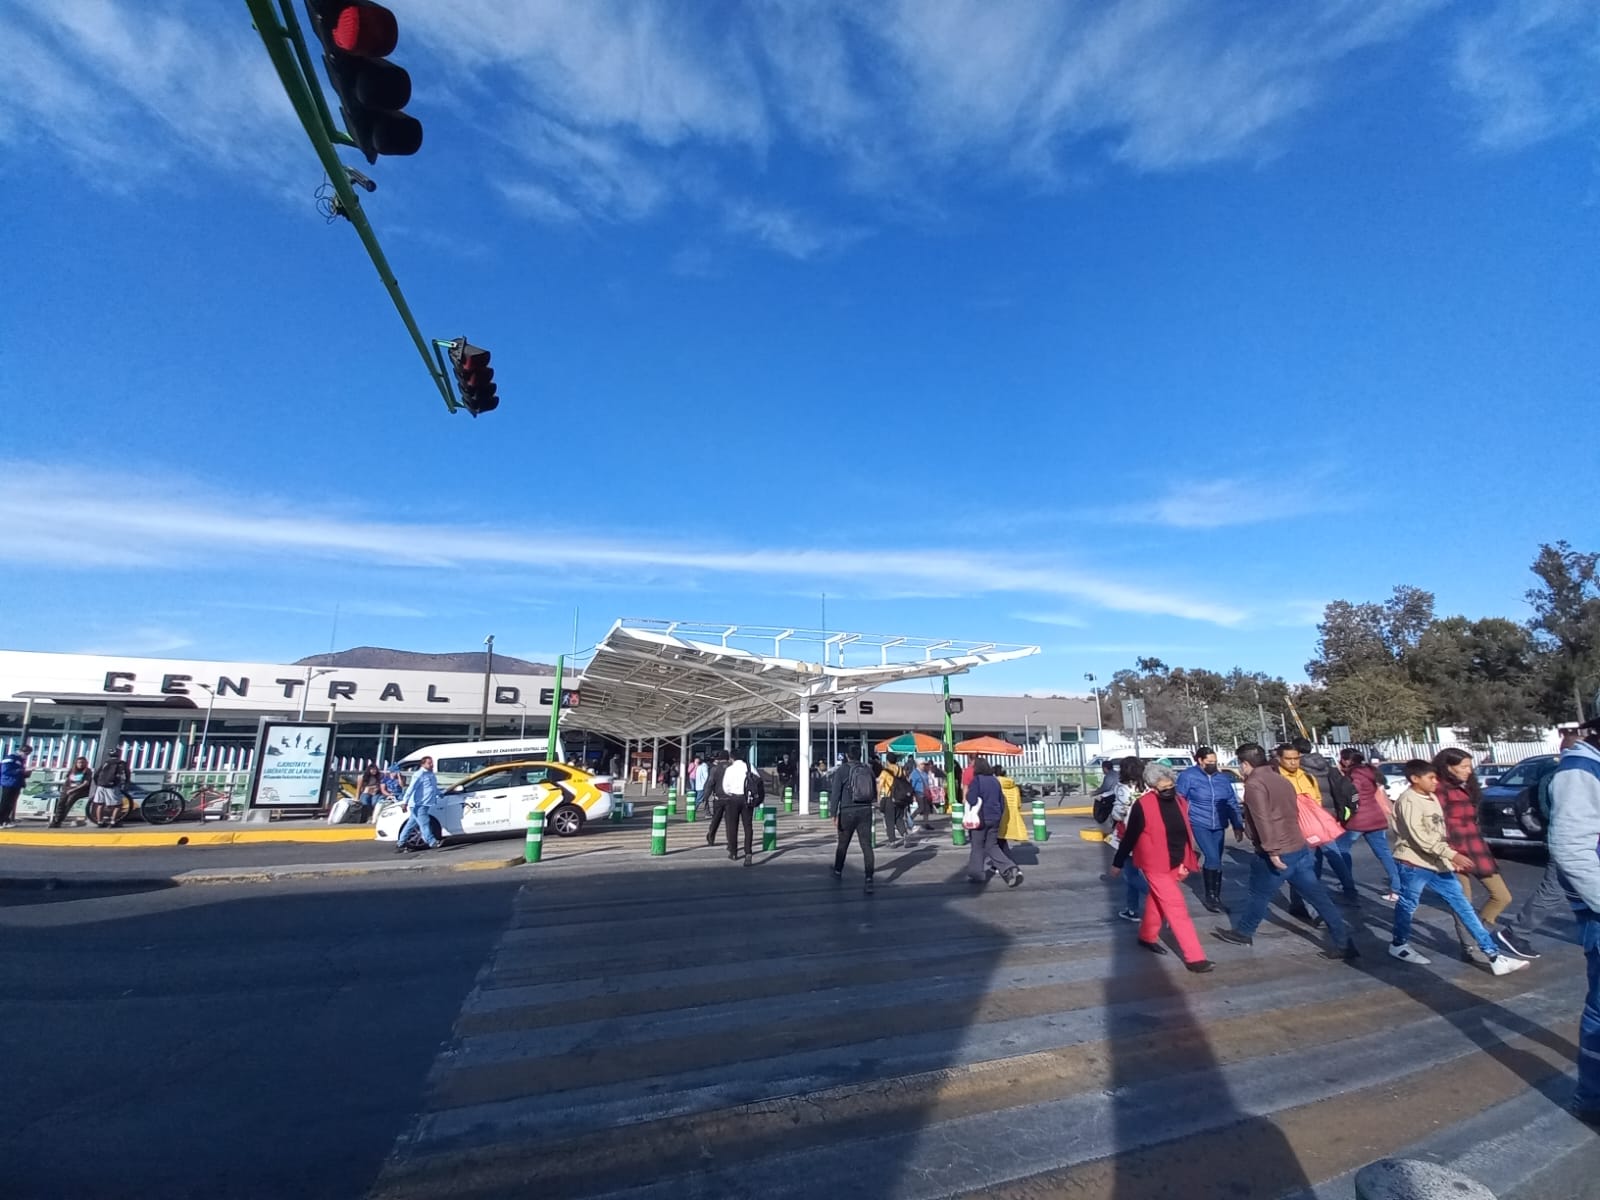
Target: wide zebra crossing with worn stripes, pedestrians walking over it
x=687, y=1028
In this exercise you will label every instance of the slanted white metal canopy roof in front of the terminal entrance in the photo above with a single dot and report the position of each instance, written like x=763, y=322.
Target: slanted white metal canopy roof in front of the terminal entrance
x=665, y=679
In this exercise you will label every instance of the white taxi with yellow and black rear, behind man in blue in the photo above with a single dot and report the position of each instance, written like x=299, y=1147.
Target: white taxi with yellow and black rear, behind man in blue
x=498, y=799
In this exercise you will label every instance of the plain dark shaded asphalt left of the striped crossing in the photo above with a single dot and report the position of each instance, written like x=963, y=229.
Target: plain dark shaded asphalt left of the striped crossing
x=247, y=1041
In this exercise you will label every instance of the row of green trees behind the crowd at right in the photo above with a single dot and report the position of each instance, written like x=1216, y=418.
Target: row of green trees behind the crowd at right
x=1398, y=668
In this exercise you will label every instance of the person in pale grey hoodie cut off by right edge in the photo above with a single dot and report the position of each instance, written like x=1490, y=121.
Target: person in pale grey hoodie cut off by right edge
x=1575, y=847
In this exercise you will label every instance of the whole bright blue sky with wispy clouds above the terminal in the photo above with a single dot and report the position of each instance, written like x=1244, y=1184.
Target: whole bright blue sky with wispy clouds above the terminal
x=1124, y=330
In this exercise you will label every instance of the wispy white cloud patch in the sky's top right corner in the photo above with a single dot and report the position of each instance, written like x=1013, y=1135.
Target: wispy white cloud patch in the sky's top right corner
x=1530, y=70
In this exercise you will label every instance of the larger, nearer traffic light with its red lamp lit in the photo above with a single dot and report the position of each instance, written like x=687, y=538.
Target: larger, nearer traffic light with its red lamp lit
x=356, y=38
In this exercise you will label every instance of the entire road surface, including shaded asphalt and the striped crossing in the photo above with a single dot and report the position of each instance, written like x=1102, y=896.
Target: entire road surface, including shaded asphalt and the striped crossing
x=623, y=1026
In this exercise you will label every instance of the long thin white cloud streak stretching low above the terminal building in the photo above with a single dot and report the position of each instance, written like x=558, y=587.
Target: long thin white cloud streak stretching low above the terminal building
x=154, y=529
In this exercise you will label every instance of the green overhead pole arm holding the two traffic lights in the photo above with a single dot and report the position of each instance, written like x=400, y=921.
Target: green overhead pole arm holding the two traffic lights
x=281, y=34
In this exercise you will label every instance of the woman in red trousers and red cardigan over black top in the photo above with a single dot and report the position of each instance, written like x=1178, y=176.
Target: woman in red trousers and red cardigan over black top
x=1164, y=849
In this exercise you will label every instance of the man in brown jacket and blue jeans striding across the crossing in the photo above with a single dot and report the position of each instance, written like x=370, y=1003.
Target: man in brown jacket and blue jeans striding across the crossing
x=1282, y=857
